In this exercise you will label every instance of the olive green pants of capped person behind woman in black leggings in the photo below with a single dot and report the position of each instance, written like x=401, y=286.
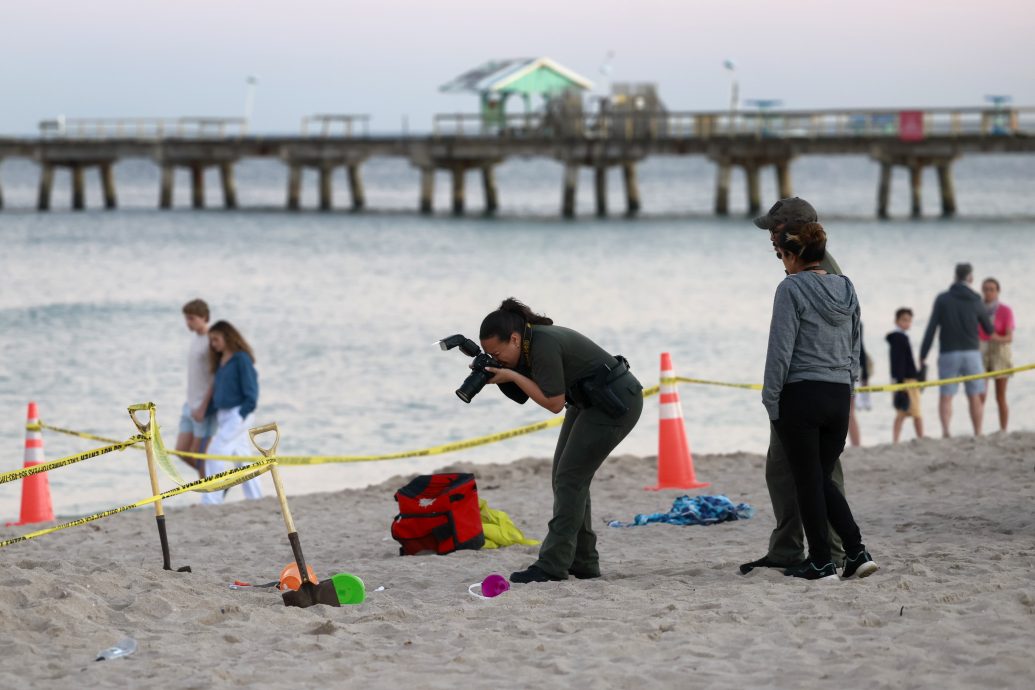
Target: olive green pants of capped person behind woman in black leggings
x=787, y=545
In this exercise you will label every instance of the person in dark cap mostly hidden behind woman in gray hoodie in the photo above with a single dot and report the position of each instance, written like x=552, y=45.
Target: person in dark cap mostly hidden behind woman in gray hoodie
x=787, y=547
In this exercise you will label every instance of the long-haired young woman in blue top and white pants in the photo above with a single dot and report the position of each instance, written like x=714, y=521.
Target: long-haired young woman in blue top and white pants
x=235, y=395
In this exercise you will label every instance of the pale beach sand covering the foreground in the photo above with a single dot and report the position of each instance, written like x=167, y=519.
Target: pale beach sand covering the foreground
x=951, y=523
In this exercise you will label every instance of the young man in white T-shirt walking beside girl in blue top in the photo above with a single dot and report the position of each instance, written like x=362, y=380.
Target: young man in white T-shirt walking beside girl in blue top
x=196, y=425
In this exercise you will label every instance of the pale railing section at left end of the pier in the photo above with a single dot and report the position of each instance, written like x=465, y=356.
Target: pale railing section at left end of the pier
x=144, y=128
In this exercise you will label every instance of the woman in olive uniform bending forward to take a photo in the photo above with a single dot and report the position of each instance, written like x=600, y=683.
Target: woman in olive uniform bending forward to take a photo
x=558, y=369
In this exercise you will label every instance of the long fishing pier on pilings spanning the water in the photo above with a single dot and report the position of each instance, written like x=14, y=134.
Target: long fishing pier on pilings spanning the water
x=460, y=144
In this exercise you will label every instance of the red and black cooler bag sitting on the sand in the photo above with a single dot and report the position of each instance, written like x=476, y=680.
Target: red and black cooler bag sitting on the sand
x=438, y=514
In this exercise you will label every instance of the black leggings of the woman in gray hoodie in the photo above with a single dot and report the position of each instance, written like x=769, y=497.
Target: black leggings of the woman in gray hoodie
x=813, y=426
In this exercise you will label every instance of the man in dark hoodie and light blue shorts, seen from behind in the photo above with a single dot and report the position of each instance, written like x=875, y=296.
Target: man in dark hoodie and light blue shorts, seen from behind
x=959, y=313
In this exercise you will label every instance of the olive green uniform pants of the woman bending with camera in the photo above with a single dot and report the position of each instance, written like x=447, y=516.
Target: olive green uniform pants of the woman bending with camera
x=587, y=438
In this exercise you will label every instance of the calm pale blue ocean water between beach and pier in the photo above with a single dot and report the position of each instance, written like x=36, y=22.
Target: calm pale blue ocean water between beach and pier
x=344, y=310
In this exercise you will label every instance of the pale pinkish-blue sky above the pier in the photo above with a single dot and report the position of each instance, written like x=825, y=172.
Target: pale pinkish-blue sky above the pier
x=388, y=58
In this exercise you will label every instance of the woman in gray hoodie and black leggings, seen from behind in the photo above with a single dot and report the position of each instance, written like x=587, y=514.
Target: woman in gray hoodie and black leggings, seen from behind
x=811, y=366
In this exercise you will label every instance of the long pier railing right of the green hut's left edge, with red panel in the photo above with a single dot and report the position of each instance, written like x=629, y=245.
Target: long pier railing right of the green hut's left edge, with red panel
x=761, y=125
